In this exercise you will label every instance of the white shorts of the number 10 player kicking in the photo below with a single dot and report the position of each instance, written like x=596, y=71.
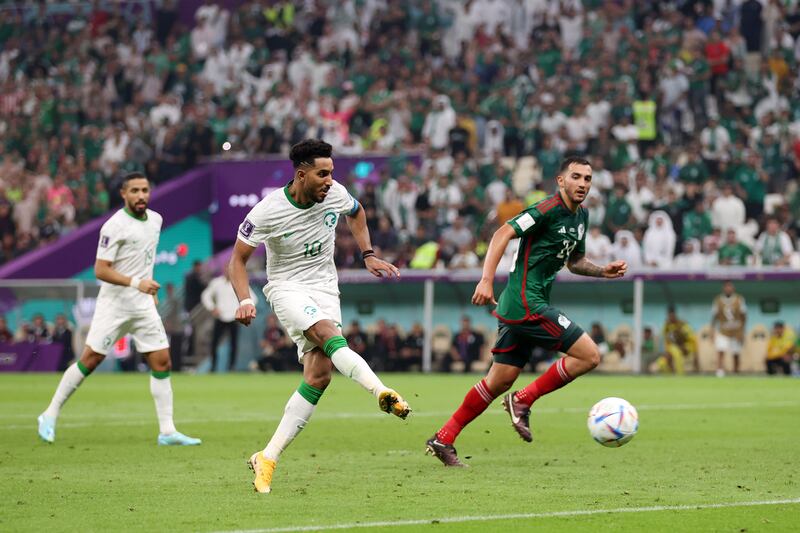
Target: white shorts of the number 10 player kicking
x=298, y=310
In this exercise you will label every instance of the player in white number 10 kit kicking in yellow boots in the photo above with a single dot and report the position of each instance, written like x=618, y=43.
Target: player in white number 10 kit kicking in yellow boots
x=298, y=226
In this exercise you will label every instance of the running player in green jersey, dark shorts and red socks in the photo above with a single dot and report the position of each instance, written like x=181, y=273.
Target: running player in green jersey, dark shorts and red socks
x=551, y=235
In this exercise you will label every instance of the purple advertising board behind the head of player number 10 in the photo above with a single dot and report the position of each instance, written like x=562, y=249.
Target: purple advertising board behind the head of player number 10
x=239, y=185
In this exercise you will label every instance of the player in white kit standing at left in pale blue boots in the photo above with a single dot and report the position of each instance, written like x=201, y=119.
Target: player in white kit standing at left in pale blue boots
x=126, y=304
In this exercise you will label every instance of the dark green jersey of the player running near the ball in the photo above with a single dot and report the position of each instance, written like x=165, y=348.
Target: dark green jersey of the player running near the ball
x=549, y=234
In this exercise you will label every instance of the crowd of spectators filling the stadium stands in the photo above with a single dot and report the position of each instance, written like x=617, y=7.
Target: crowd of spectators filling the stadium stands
x=690, y=111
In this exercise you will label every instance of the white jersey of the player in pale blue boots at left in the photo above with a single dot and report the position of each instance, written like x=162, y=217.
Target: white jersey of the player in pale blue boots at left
x=130, y=244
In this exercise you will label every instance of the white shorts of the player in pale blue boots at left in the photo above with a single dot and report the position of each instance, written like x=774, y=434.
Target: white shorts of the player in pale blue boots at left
x=110, y=324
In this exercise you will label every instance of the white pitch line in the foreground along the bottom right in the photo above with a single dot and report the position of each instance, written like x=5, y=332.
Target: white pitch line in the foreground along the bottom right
x=516, y=516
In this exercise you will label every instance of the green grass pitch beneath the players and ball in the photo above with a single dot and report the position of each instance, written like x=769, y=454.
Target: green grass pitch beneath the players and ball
x=706, y=452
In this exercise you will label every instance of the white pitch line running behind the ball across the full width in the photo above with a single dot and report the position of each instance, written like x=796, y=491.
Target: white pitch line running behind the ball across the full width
x=110, y=419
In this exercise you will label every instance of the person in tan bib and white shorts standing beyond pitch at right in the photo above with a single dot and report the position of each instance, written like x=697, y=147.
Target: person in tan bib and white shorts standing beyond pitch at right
x=728, y=321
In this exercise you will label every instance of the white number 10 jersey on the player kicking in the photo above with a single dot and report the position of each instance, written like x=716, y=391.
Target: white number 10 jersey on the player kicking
x=299, y=238
